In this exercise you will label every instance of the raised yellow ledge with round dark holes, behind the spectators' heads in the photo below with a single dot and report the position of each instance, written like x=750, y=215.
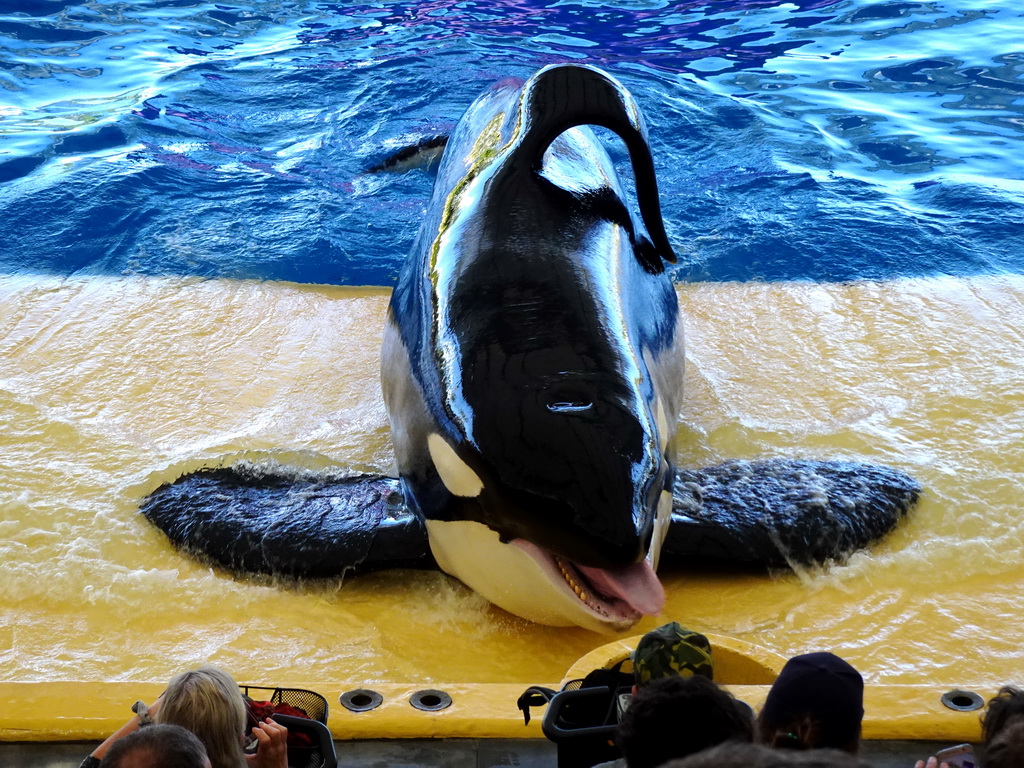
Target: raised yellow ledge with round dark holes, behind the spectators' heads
x=86, y=711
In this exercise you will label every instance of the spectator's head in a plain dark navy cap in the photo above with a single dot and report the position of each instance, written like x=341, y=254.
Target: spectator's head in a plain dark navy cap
x=818, y=702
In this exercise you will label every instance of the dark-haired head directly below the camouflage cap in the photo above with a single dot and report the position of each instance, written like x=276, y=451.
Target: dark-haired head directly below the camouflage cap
x=672, y=717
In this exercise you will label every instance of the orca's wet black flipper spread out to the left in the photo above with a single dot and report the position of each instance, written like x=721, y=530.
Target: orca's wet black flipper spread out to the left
x=254, y=522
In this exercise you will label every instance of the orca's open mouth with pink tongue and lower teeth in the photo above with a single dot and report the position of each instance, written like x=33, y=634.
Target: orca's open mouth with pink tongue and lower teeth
x=620, y=595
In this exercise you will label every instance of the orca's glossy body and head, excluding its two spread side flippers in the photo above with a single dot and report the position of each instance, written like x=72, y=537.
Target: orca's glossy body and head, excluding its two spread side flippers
x=533, y=357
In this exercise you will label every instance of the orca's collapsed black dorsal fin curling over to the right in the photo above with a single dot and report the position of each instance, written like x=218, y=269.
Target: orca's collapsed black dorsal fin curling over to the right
x=564, y=97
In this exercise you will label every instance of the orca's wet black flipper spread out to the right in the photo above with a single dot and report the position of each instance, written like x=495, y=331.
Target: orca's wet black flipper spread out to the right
x=784, y=513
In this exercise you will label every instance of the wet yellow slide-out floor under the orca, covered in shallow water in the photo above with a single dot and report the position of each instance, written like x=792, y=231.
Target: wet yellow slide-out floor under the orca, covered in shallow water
x=110, y=388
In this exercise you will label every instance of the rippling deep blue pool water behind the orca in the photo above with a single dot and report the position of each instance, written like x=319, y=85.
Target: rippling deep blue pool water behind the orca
x=822, y=140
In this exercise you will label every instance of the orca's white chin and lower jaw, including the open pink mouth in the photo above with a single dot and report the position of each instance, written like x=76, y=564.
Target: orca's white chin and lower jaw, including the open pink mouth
x=532, y=583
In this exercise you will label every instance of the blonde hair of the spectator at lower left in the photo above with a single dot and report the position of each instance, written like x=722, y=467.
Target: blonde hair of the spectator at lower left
x=208, y=703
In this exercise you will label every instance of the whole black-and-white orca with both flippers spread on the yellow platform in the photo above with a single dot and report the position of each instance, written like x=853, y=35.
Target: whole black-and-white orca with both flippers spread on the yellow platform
x=533, y=371
